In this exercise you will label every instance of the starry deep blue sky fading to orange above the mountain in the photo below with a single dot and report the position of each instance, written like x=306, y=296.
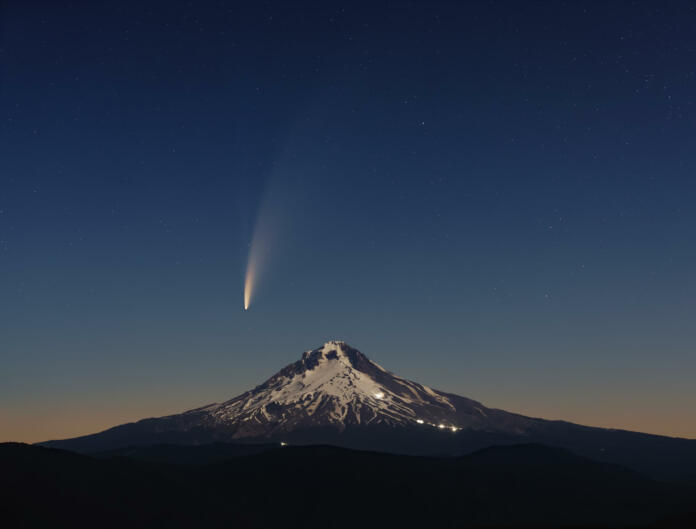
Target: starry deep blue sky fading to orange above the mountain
x=492, y=198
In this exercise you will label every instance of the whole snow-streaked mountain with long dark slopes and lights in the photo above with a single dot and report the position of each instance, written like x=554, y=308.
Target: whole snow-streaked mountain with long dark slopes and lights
x=336, y=395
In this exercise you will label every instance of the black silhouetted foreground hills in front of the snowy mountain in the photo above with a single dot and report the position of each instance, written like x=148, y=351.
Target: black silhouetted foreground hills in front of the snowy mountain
x=324, y=486
